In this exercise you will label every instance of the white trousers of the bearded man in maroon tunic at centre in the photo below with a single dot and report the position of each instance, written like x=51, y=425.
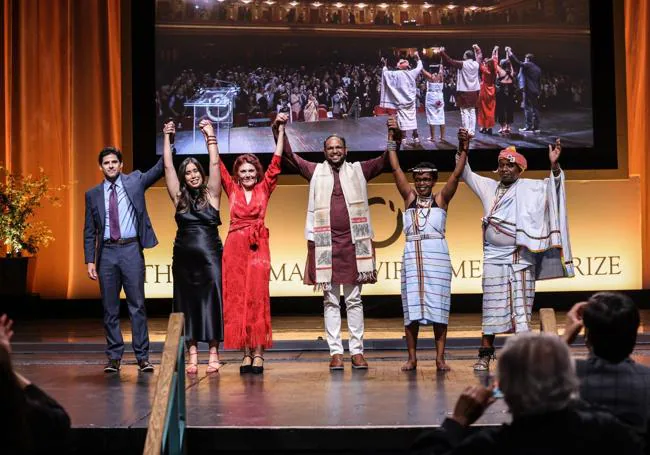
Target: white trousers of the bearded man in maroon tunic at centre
x=354, y=308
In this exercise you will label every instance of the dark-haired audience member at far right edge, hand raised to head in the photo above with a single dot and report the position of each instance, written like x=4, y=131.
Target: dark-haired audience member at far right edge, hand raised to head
x=609, y=378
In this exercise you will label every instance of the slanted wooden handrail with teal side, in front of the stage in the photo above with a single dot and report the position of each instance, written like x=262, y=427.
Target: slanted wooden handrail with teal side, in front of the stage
x=166, y=430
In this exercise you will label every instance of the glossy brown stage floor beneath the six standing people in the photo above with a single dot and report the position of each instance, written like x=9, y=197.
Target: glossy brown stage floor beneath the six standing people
x=297, y=405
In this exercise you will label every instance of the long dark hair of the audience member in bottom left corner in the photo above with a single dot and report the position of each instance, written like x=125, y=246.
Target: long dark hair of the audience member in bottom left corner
x=13, y=418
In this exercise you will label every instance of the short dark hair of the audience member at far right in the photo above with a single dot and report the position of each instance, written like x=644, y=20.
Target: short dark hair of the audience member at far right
x=611, y=322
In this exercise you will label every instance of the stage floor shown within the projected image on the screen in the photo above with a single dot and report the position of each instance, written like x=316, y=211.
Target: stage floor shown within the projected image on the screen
x=369, y=134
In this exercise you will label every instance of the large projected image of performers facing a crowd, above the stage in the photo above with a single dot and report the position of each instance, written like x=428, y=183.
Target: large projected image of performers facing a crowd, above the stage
x=534, y=86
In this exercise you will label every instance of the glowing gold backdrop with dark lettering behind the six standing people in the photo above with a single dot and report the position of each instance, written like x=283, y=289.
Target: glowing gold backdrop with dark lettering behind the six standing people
x=607, y=246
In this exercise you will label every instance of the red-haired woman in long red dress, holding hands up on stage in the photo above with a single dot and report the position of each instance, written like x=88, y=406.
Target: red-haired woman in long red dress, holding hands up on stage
x=246, y=265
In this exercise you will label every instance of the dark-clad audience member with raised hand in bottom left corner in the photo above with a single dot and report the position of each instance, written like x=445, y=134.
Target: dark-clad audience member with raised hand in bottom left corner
x=31, y=422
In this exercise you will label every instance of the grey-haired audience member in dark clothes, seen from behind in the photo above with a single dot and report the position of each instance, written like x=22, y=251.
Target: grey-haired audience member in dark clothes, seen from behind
x=539, y=384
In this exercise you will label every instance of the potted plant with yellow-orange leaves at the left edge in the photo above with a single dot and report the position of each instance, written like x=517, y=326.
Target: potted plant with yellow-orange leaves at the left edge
x=20, y=235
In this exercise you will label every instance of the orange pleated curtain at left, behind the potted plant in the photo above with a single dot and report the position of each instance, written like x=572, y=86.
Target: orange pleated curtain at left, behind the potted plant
x=62, y=96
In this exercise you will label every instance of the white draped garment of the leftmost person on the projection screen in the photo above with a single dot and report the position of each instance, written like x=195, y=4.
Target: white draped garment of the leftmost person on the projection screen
x=399, y=91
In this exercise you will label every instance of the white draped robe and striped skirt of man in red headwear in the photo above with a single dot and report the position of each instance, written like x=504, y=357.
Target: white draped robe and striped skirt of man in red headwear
x=525, y=238
